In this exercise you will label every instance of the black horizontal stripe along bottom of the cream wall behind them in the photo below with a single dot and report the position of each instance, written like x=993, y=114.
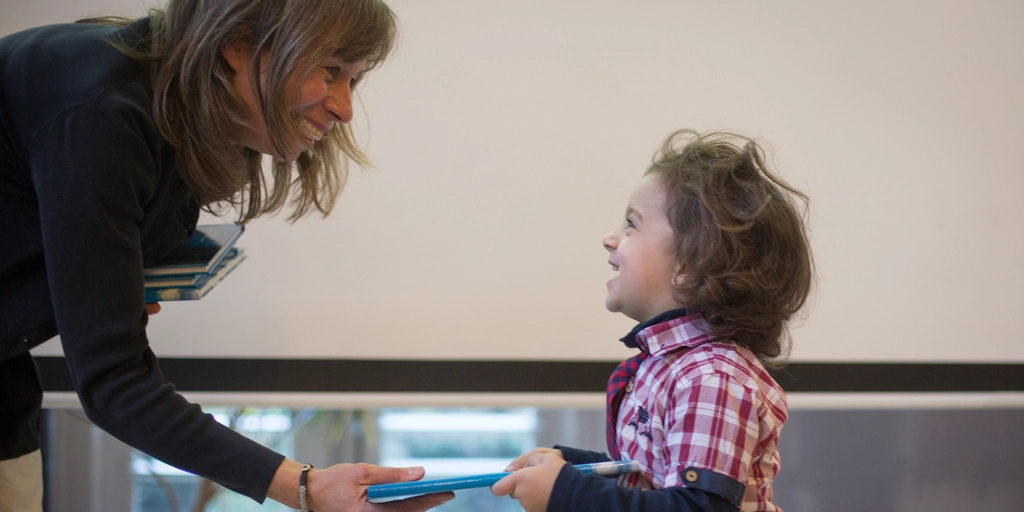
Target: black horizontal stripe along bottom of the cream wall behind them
x=528, y=377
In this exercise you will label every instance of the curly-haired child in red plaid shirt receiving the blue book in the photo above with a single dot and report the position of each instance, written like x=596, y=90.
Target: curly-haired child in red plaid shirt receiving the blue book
x=713, y=260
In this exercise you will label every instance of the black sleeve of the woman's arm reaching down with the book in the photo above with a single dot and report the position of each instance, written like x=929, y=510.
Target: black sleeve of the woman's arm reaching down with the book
x=94, y=172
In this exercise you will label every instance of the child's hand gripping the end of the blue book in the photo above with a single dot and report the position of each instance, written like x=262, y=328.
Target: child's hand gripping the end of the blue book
x=532, y=486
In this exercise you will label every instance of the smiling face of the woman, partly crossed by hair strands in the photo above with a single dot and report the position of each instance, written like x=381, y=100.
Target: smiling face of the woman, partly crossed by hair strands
x=319, y=101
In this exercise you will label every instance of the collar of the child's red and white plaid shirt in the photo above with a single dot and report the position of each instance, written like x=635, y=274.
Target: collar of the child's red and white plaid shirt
x=668, y=332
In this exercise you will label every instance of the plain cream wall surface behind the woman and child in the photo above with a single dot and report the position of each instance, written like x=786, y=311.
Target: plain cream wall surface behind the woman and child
x=508, y=136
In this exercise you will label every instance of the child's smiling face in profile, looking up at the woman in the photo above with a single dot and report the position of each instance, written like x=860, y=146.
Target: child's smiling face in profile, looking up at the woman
x=642, y=250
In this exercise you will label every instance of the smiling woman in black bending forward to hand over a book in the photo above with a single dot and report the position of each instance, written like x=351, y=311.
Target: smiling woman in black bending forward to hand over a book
x=114, y=136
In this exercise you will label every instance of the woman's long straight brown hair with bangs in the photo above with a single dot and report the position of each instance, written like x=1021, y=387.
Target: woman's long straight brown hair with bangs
x=198, y=110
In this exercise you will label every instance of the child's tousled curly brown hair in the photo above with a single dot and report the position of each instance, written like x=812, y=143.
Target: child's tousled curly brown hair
x=740, y=237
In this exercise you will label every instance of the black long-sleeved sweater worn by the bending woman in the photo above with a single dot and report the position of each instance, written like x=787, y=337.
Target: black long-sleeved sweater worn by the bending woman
x=90, y=194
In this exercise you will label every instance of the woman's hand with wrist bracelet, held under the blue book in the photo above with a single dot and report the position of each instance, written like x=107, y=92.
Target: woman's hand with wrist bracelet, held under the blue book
x=343, y=488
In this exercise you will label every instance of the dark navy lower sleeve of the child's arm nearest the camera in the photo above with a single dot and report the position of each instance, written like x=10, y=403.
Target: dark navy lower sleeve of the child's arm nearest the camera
x=576, y=492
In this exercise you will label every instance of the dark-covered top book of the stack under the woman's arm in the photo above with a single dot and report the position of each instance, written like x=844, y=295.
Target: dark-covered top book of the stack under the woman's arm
x=200, y=253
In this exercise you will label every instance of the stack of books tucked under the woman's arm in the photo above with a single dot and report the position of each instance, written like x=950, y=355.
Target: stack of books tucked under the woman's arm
x=192, y=270
